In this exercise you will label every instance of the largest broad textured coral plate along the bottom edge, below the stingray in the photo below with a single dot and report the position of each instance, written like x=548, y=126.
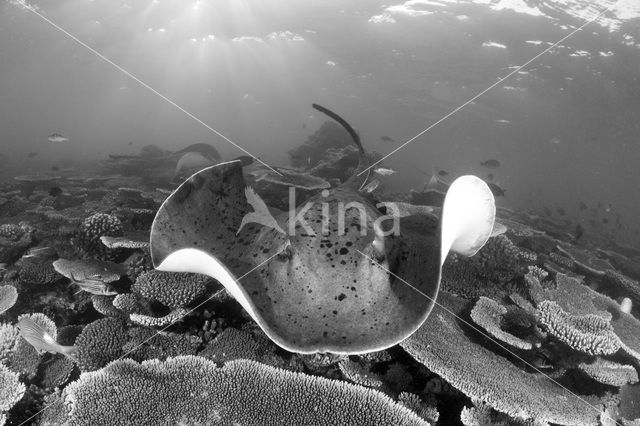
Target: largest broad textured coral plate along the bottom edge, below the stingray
x=193, y=390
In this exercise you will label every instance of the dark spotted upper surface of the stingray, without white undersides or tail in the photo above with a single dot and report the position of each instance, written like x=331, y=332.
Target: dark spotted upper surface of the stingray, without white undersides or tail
x=321, y=294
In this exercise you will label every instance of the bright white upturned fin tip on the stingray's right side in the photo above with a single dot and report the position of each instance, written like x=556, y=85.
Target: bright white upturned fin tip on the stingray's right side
x=468, y=215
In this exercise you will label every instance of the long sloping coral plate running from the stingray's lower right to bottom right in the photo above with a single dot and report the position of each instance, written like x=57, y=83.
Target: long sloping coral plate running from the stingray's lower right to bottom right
x=443, y=346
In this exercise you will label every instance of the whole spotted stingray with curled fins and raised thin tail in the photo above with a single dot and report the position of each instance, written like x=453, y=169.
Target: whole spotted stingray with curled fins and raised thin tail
x=328, y=285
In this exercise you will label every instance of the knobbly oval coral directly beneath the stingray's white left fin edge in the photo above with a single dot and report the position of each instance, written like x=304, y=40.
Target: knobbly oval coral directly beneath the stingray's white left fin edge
x=172, y=289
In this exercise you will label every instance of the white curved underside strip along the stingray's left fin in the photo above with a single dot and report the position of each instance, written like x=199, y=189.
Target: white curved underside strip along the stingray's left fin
x=198, y=261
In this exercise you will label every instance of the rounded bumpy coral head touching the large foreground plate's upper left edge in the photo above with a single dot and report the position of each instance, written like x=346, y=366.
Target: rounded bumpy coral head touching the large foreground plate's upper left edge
x=100, y=343
